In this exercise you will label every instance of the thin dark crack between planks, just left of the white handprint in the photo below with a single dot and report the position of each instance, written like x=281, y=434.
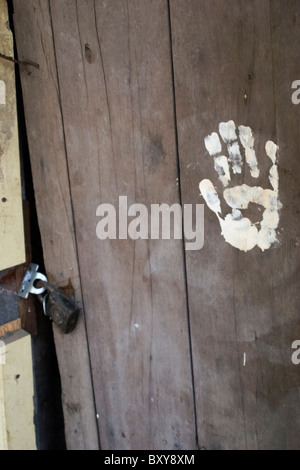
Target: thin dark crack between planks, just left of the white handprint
x=180, y=202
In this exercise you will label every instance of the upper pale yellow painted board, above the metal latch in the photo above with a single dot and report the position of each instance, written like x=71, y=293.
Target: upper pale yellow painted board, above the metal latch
x=12, y=245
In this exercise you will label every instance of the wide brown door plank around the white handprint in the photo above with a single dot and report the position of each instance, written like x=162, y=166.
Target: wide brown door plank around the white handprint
x=243, y=305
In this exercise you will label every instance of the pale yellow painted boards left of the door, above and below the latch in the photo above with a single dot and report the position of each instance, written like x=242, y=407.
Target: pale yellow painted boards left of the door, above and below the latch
x=17, y=430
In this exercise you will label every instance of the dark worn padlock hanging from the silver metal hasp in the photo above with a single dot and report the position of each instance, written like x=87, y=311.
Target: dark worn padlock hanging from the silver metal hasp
x=59, y=308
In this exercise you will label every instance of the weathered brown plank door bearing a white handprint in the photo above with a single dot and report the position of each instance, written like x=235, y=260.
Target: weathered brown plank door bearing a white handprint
x=175, y=348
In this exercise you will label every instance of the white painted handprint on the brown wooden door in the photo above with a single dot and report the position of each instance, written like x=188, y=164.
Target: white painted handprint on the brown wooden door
x=237, y=229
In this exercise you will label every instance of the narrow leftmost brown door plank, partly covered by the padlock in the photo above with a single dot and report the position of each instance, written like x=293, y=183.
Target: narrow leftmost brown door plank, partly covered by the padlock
x=54, y=206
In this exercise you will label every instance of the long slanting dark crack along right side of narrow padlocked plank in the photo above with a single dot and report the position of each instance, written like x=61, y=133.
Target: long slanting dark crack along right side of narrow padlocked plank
x=73, y=218
